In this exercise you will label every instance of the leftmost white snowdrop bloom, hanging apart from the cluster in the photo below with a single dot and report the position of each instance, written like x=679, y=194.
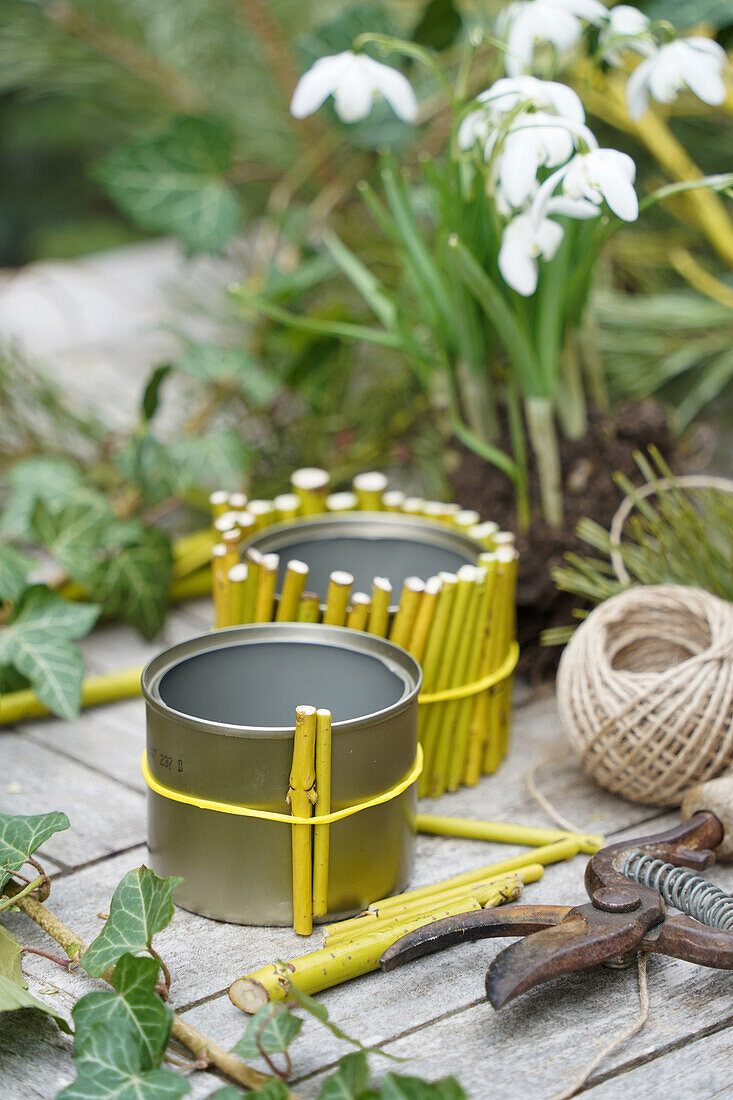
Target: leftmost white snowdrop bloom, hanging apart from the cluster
x=354, y=81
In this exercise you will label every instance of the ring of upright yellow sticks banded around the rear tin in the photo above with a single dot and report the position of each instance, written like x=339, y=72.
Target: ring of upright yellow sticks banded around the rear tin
x=460, y=626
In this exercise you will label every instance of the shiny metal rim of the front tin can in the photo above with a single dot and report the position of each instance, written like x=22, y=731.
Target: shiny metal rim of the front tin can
x=396, y=659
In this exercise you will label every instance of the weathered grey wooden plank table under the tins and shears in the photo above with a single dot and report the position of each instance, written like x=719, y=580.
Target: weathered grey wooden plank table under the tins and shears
x=432, y=1013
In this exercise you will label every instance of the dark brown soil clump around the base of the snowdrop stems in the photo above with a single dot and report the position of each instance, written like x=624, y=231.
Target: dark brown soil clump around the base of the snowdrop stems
x=588, y=469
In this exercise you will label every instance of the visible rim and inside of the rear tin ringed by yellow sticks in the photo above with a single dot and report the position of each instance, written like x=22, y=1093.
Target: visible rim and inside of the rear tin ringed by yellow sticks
x=368, y=545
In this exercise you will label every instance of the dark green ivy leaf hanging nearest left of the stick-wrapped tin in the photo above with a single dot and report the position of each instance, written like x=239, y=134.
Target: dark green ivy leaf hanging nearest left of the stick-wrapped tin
x=134, y=581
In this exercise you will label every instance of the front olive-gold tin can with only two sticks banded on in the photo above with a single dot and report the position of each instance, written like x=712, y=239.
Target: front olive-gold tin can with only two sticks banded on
x=221, y=727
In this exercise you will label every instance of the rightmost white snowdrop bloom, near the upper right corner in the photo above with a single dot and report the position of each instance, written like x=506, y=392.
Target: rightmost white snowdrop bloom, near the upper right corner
x=694, y=63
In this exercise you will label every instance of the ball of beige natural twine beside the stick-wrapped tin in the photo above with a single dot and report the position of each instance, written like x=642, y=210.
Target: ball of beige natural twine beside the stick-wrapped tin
x=646, y=692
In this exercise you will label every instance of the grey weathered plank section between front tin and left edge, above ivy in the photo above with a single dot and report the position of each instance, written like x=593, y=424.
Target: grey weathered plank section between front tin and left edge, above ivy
x=105, y=816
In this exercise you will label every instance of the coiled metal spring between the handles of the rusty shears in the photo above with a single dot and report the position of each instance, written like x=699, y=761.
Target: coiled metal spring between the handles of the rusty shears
x=683, y=889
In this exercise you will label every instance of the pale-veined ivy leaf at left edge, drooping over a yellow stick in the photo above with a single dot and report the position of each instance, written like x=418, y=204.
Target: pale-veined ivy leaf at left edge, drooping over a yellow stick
x=37, y=643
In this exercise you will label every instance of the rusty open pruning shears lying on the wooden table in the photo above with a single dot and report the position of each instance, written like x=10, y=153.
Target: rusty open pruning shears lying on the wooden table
x=630, y=885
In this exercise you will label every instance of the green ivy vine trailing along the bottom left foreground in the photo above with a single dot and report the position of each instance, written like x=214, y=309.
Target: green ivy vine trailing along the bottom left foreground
x=122, y=1036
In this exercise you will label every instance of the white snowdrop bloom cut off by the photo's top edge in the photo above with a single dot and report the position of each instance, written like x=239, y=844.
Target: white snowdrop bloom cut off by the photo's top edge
x=531, y=23
